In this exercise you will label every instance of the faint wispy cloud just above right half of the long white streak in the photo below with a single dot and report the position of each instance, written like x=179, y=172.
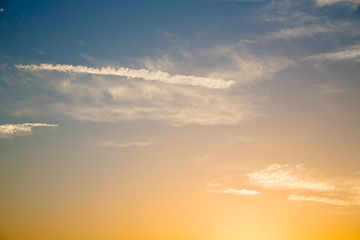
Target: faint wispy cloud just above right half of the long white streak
x=236, y=61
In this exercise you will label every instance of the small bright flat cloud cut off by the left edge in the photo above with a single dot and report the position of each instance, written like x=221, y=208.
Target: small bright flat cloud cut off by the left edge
x=9, y=130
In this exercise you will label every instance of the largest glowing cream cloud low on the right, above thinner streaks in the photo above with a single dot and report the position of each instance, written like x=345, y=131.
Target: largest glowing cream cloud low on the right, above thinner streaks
x=288, y=177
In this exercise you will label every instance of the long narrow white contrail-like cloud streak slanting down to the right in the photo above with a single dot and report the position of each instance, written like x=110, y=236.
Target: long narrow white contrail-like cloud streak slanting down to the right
x=133, y=73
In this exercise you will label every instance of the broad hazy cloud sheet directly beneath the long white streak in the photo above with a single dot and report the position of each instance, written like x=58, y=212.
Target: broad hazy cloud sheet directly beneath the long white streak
x=103, y=98
